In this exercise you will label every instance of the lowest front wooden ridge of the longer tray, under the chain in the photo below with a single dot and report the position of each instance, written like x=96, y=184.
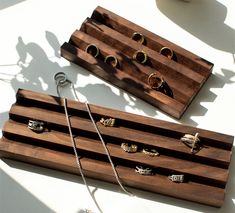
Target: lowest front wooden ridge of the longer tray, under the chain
x=199, y=193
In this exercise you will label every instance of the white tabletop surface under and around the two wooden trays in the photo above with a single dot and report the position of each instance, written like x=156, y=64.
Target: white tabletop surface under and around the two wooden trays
x=31, y=33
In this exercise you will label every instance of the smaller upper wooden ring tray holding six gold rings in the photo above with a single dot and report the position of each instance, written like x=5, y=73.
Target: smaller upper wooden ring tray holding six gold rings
x=185, y=73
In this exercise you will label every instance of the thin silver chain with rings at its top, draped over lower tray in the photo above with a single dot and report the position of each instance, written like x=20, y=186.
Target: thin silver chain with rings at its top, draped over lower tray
x=61, y=81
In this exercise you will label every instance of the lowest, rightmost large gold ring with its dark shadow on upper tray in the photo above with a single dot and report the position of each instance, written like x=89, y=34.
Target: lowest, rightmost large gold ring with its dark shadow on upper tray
x=157, y=82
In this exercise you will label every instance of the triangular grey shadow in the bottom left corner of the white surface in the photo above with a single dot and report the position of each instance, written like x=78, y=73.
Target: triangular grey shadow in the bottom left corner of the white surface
x=15, y=198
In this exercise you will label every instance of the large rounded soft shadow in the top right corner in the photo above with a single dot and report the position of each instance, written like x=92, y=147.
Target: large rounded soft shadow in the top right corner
x=203, y=19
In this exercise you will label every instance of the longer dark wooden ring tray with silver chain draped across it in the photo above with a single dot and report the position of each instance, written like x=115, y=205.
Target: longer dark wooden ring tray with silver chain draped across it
x=206, y=172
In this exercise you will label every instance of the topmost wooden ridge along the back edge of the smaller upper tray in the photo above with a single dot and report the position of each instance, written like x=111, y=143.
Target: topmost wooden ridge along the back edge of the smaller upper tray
x=153, y=41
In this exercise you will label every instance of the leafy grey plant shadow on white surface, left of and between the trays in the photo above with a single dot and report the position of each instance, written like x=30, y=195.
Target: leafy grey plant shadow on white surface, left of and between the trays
x=38, y=74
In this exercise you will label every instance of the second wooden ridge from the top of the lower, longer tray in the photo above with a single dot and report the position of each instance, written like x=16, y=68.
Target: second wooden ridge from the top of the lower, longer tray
x=128, y=135
